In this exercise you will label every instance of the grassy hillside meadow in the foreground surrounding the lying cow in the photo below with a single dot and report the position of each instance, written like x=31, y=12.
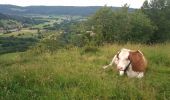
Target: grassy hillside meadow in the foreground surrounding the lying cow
x=76, y=73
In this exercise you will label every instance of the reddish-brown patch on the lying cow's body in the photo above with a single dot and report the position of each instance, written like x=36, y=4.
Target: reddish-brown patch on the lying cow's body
x=138, y=61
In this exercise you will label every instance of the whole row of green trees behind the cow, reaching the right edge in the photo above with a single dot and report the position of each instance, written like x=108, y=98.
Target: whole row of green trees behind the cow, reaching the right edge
x=150, y=24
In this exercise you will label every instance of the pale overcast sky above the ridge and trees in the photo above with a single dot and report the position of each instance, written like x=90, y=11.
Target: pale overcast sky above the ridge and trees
x=117, y=3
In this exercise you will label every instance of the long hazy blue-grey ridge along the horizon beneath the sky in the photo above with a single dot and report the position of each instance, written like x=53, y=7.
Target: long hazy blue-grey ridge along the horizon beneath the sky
x=50, y=10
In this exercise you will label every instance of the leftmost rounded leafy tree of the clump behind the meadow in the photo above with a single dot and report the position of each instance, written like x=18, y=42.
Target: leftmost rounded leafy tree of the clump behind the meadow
x=102, y=23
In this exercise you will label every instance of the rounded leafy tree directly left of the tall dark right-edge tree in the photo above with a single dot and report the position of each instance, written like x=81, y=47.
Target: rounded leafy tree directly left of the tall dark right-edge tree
x=141, y=28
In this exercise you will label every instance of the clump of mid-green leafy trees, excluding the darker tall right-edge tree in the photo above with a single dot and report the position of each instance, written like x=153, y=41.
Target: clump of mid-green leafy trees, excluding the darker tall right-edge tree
x=121, y=26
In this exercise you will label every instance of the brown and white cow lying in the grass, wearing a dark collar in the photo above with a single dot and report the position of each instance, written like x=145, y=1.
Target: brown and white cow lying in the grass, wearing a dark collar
x=131, y=62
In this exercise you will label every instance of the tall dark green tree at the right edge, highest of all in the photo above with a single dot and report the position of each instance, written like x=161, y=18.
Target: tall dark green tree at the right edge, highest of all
x=159, y=13
